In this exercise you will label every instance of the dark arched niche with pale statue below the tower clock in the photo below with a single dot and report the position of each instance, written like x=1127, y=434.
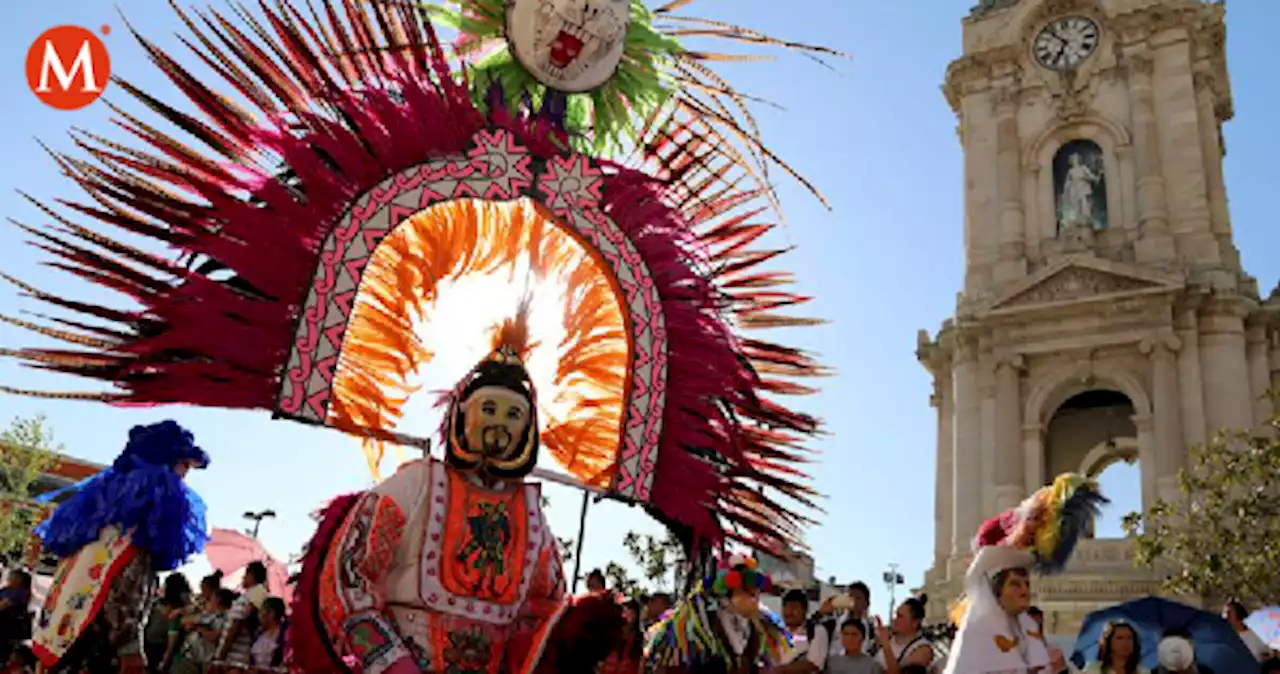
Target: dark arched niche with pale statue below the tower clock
x=1080, y=187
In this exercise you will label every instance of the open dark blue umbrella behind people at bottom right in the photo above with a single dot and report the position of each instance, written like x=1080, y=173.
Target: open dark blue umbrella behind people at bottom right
x=1217, y=643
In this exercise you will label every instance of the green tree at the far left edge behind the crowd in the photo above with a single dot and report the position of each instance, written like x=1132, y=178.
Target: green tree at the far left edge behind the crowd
x=28, y=451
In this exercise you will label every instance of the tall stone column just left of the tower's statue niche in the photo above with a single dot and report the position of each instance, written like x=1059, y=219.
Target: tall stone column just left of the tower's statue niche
x=1013, y=247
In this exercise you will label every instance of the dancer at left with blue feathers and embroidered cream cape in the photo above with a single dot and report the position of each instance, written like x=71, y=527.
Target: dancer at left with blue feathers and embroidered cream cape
x=134, y=520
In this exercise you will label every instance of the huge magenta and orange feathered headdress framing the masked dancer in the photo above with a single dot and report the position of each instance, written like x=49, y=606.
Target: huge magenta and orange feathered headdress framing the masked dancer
x=371, y=178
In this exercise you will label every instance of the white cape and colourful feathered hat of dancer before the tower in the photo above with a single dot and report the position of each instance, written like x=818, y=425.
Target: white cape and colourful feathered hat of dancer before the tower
x=1037, y=537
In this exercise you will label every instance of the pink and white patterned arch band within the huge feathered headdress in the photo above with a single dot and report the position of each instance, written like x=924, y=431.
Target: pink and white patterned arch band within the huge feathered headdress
x=499, y=169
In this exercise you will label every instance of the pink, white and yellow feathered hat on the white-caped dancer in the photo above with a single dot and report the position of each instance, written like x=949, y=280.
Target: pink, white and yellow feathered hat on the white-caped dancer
x=1049, y=524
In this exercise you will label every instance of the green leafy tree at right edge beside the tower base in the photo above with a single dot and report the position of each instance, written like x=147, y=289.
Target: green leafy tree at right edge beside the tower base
x=1219, y=538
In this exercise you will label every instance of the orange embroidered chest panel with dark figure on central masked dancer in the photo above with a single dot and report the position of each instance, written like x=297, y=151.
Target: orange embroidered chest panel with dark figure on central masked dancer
x=486, y=543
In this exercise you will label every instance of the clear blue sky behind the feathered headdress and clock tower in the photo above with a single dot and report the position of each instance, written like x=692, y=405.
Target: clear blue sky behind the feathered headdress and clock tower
x=876, y=136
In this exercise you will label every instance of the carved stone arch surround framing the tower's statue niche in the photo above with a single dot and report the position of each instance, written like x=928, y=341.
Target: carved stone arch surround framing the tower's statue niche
x=1113, y=143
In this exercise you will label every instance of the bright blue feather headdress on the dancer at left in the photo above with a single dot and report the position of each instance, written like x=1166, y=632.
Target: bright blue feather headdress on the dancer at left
x=140, y=493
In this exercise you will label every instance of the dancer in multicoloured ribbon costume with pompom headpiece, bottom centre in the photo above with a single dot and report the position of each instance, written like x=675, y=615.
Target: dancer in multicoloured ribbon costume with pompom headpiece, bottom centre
x=720, y=629
